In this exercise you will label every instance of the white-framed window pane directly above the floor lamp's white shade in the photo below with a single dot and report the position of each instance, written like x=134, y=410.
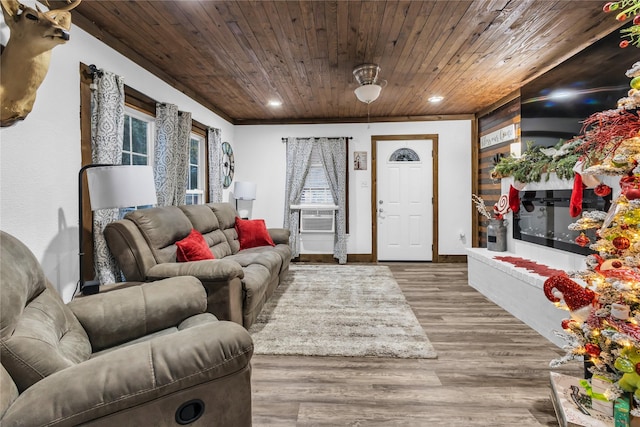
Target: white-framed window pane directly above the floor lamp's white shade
x=137, y=144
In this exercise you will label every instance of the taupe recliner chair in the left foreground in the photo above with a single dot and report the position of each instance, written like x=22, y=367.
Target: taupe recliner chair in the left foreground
x=143, y=355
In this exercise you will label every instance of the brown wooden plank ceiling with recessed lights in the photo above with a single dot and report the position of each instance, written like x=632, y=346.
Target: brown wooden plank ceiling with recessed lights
x=236, y=56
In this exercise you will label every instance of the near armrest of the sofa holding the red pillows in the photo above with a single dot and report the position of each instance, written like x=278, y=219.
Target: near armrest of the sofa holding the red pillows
x=211, y=270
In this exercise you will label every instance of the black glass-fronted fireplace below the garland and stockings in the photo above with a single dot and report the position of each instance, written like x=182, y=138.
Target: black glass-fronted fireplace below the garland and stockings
x=544, y=218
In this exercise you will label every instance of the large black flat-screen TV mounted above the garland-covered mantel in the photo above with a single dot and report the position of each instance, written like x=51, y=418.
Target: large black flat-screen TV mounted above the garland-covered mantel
x=554, y=105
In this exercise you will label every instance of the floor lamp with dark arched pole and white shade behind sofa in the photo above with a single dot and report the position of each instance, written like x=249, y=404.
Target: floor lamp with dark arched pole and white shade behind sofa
x=113, y=186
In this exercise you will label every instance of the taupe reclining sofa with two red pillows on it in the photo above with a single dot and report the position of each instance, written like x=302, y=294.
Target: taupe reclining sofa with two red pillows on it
x=238, y=282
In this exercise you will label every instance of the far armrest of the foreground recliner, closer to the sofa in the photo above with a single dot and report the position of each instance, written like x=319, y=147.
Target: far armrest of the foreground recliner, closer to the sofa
x=122, y=315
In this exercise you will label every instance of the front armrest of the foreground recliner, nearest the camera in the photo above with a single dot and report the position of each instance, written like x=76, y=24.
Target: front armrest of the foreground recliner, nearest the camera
x=129, y=378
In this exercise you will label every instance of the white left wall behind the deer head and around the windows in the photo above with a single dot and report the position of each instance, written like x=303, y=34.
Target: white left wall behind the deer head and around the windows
x=40, y=157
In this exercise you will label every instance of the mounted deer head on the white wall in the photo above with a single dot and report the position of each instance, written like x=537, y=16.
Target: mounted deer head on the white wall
x=25, y=59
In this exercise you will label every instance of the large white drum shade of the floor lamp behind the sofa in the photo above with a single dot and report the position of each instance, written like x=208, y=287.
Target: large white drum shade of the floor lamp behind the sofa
x=121, y=186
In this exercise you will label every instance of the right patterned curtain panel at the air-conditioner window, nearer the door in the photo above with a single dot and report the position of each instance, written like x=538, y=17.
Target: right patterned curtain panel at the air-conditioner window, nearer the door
x=334, y=153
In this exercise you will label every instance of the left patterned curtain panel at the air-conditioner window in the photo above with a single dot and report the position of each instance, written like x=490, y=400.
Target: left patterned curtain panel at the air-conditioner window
x=298, y=160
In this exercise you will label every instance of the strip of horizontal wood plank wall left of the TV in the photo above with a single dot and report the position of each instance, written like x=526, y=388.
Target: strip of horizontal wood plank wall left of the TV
x=488, y=188
